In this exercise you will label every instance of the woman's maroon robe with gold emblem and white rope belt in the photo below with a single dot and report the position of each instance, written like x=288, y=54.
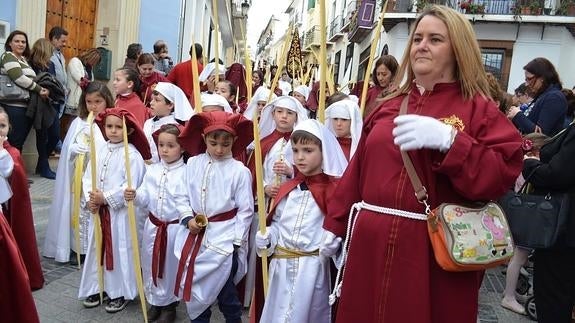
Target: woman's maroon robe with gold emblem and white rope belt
x=391, y=274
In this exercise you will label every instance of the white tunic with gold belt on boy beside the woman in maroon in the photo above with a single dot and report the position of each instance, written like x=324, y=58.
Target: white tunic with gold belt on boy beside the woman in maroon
x=298, y=287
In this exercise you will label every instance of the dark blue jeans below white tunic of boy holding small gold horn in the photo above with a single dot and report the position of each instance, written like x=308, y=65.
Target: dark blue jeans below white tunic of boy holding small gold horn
x=228, y=299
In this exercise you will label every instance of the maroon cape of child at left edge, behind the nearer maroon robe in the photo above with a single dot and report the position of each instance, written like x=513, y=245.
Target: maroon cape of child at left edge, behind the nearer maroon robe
x=19, y=215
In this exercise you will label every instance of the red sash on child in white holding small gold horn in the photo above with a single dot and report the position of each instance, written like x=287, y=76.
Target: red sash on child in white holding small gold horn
x=195, y=240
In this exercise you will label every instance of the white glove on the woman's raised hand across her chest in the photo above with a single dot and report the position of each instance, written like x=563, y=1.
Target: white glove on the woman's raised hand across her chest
x=415, y=132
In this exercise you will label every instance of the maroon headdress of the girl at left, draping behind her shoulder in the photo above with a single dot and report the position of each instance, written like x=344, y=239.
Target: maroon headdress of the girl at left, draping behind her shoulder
x=136, y=138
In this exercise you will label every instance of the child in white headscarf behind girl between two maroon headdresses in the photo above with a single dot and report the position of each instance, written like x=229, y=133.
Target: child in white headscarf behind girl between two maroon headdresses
x=169, y=105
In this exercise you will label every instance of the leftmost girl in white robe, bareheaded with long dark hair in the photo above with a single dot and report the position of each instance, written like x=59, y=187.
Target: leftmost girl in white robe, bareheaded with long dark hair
x=60, y=235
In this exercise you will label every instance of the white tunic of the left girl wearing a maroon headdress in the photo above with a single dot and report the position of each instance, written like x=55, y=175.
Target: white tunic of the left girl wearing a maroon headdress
x=111, y=176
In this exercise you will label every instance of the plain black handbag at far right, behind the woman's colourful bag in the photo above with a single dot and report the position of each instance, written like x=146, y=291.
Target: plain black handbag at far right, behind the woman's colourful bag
x=536, y=220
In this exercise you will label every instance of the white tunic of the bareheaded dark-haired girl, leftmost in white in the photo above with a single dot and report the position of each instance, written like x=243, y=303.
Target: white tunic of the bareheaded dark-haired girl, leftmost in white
x=59, y=232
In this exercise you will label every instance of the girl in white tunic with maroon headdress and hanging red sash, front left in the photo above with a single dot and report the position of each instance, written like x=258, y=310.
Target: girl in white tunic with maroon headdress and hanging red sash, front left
x=108, y=200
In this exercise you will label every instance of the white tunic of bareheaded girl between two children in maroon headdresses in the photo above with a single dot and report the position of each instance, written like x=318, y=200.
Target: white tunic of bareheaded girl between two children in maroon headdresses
x=156, y=195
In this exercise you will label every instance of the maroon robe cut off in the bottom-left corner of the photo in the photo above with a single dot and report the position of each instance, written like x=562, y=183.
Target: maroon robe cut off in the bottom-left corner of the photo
x=16, y=301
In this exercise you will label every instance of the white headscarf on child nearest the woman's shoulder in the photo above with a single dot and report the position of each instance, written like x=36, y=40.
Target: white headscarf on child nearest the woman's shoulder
x=349, y=110
